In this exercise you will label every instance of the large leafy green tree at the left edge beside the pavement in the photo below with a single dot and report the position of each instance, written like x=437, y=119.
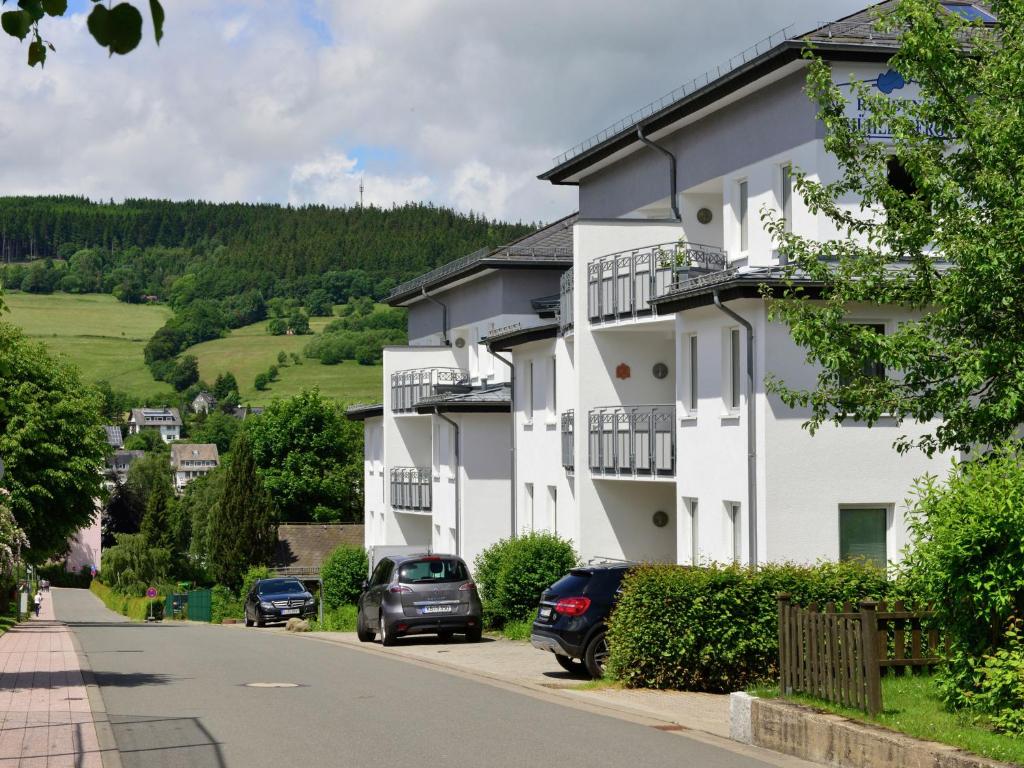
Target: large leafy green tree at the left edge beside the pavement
x=52, y=442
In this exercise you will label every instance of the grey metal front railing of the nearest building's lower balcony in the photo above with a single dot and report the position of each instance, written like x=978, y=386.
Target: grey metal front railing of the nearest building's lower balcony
x=633, y=441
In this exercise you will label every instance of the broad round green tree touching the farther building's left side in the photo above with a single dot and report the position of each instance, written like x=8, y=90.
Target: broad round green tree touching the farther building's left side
x=310, y=458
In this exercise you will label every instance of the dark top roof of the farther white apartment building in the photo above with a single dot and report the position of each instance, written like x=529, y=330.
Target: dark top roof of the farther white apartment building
x=547, y=248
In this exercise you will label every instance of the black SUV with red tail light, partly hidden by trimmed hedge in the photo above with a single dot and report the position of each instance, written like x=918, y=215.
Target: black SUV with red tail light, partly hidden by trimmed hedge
x=572, y=619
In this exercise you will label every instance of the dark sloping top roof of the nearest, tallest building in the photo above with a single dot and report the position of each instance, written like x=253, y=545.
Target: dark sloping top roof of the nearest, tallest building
x=851, y=38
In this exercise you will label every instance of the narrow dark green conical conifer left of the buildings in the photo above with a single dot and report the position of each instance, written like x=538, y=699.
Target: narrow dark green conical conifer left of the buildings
x=242, y=529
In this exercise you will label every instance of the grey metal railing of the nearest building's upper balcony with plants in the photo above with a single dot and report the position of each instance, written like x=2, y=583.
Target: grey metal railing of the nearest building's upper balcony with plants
x=622, y=285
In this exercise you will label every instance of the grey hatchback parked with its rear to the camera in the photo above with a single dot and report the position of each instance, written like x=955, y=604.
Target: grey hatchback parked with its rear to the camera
x=419, y=594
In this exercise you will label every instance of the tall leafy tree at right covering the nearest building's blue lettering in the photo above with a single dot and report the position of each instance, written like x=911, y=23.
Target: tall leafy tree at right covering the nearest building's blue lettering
x=943, y=201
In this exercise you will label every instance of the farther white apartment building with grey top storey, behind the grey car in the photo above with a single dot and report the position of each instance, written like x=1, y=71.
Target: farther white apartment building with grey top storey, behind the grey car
x=439, y=458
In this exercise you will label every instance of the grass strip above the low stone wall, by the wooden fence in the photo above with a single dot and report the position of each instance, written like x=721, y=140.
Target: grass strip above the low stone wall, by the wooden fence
x=913, y=707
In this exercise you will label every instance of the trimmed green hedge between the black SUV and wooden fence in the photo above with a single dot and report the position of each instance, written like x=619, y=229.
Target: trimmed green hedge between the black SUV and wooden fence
x=716, y=629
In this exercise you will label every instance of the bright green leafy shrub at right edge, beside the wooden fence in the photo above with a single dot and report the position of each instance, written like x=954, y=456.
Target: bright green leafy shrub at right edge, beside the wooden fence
x=967, y=559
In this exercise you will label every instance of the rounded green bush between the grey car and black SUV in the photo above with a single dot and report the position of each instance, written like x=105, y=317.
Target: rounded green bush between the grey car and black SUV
x=513, y=574
